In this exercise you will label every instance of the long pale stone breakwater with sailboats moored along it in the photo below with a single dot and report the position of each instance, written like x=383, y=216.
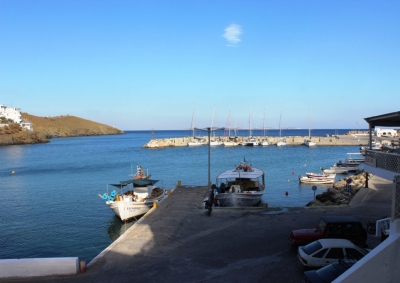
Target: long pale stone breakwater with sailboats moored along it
x=335, y=140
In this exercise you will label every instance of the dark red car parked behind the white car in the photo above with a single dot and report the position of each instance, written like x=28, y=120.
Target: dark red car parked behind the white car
x=340, y=227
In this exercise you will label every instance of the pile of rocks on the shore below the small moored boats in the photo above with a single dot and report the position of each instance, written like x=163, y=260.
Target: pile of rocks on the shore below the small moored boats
x=338, y=195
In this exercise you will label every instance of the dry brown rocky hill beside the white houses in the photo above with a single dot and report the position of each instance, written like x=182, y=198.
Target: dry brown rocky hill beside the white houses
x=45, y=128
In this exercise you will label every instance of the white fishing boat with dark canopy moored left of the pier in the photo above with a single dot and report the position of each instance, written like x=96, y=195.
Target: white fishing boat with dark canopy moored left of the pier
x=133, y=198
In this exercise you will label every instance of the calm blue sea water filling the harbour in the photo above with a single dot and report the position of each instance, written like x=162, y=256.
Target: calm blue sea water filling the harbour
x=50, y=204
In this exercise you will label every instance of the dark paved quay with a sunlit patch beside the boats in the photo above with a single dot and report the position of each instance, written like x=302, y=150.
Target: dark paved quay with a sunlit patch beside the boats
x=178, y=242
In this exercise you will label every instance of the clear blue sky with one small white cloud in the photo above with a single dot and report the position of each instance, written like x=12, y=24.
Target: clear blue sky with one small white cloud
x=171, y=65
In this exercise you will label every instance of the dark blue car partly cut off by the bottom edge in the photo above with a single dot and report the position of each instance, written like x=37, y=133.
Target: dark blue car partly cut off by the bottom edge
x=328, y=273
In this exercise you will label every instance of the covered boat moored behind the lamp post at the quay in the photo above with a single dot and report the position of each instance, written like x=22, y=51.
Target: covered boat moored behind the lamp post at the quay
x=242, y=186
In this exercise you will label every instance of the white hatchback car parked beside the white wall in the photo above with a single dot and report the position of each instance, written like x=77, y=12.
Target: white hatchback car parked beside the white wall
x=326, y=251
